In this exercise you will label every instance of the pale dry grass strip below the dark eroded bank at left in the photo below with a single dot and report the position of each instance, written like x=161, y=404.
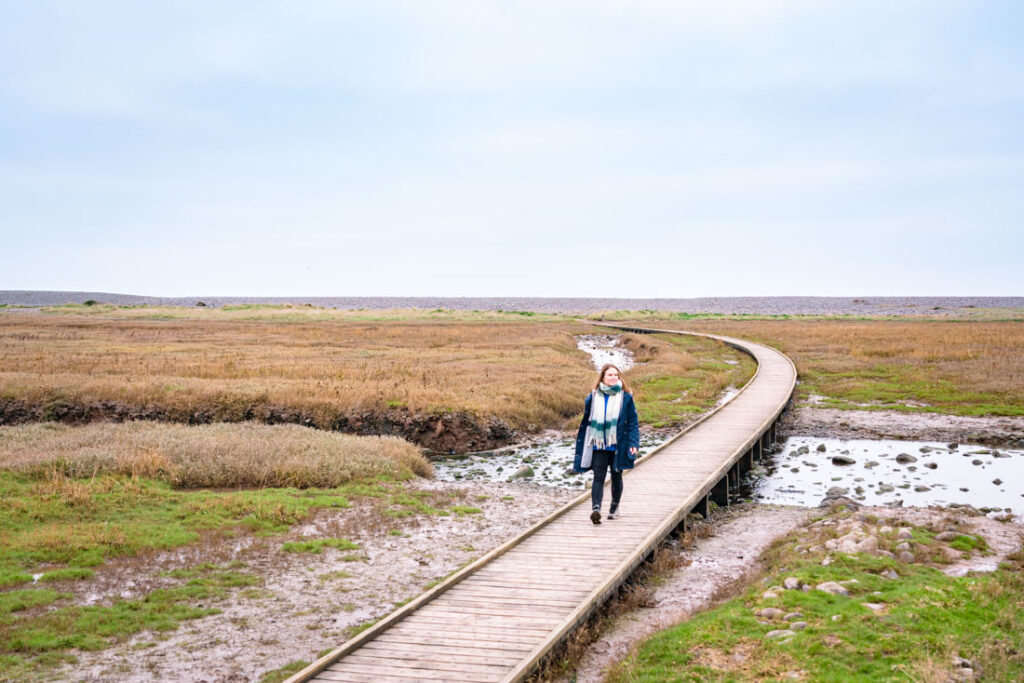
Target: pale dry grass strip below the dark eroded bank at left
x=207, y=456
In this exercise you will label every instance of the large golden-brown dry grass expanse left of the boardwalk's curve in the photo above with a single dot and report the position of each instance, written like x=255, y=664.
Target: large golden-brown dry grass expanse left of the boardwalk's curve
x=527, y=372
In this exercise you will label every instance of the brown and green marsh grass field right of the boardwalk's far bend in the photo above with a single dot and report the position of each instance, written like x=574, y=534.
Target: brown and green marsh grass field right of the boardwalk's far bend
x=951, y=367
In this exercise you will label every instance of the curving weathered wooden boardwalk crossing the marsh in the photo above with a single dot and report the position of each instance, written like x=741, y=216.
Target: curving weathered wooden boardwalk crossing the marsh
x=498, y=618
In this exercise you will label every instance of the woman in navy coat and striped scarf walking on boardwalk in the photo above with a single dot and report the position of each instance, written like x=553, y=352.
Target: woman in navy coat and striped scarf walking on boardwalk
x=609, y=438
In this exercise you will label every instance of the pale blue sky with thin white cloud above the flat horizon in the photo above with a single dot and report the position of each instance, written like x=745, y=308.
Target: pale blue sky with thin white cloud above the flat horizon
x=442, y=148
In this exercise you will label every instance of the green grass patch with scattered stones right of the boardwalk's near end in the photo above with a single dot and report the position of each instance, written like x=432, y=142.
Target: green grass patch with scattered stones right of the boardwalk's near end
x=927, y=618
